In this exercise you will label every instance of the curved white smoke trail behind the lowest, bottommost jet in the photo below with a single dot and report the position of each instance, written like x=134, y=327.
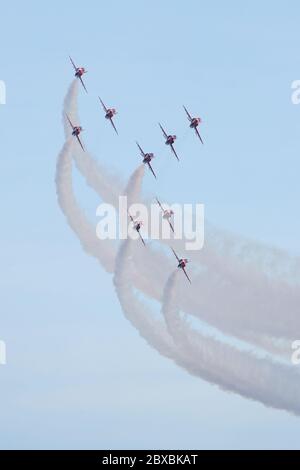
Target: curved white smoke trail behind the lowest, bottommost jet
x=233, y=370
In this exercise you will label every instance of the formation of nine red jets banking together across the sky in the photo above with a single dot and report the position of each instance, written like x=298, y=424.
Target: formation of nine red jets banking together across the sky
x=170, y=139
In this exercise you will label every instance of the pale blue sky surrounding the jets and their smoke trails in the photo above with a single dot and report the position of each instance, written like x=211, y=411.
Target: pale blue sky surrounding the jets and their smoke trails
x=78, y=375
